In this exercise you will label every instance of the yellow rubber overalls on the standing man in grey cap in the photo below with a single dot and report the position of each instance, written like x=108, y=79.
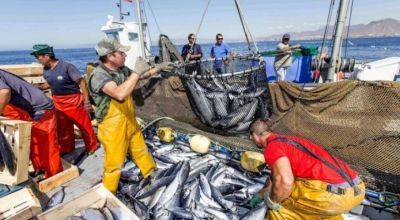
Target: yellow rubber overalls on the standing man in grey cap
x=120, y=133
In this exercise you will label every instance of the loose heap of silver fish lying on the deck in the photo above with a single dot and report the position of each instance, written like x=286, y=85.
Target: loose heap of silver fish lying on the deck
x=187, y=185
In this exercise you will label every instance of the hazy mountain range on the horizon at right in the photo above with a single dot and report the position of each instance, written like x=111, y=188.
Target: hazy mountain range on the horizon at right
x=382, y=28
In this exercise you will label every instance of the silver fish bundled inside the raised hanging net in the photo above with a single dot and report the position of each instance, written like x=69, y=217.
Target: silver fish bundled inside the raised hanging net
x=231, y=107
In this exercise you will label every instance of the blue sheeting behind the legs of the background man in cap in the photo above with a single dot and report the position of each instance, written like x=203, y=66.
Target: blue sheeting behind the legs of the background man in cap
x=299, y=72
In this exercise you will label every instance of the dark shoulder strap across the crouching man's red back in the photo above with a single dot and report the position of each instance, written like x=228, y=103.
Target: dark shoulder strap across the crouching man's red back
x=338, y=169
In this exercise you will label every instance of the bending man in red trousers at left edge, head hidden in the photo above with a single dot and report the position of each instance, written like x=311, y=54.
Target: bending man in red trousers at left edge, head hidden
x=22, y=101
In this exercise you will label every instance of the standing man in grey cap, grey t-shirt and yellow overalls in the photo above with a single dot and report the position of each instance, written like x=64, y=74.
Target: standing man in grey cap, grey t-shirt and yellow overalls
x=111, y=85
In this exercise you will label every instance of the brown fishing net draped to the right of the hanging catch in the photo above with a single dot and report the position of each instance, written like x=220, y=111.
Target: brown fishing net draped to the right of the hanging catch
x=357, y=121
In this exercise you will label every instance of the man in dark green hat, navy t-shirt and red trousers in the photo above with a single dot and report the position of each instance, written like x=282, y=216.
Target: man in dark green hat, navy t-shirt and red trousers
x=70, y=97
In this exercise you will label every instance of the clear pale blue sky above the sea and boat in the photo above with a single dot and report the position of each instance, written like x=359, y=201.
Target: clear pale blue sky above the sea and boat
x=76, y=23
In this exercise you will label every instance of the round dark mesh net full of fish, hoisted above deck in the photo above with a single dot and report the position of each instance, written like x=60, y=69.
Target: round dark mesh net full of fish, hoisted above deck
x=227, y=95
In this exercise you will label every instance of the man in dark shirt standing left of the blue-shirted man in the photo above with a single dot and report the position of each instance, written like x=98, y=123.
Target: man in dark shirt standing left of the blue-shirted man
x=192, y=52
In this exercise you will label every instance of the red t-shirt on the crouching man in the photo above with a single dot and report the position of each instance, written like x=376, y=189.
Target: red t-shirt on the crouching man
x=304, y=165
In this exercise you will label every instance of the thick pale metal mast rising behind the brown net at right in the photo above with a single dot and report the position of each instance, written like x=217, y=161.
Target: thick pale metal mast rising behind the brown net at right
x=337, y=41
